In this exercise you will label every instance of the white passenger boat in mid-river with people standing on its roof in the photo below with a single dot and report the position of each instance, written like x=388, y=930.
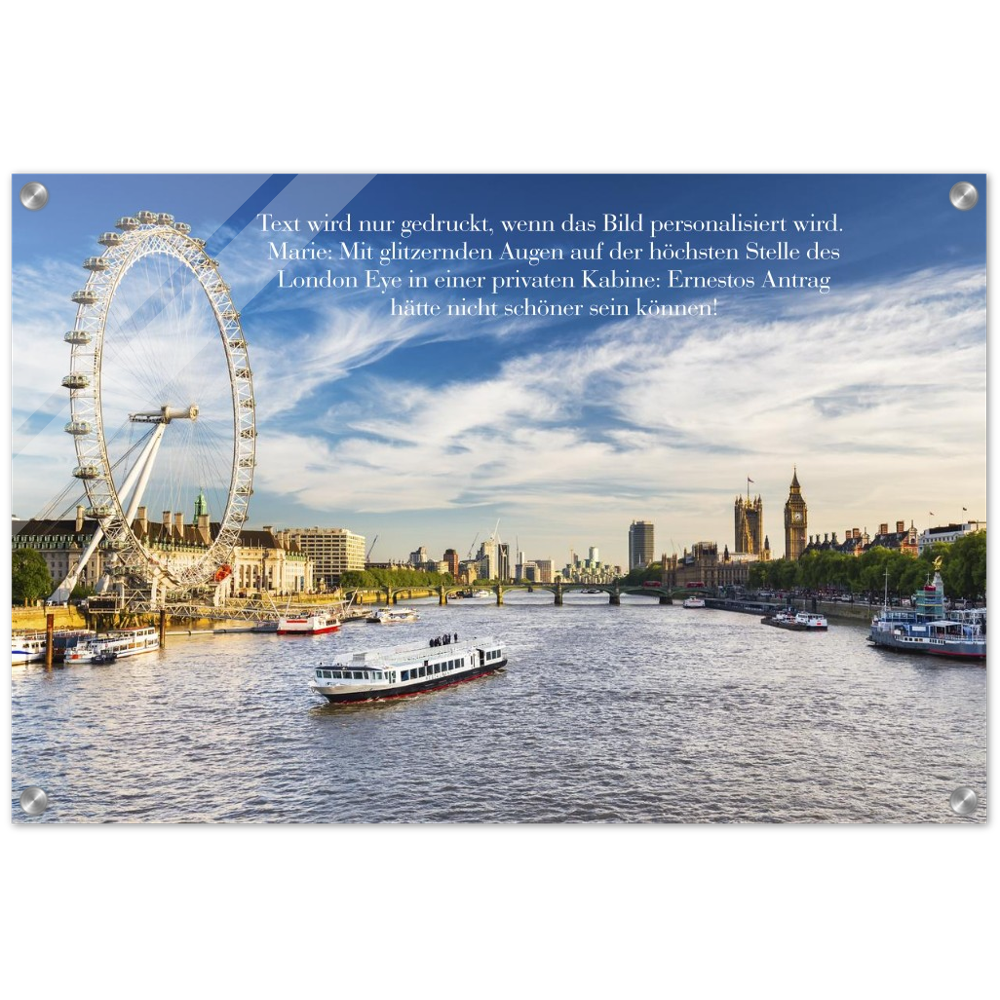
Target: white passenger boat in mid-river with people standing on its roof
x=409, y=669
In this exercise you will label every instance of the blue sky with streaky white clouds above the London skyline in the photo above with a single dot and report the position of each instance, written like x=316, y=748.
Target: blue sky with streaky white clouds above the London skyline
x=427, y=430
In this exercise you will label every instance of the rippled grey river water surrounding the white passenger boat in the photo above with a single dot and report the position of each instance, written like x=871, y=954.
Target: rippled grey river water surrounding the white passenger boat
x=634, y=714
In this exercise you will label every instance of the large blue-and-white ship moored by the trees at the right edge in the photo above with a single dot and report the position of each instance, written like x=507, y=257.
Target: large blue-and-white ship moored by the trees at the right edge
x=926, y=628
